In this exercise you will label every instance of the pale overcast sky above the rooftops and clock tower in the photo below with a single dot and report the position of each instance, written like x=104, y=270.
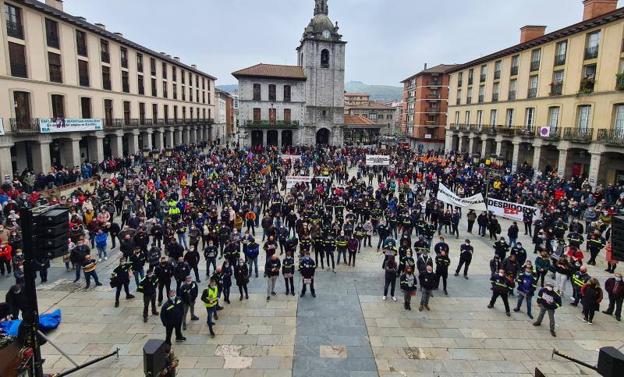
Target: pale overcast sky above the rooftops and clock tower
x=388, y=40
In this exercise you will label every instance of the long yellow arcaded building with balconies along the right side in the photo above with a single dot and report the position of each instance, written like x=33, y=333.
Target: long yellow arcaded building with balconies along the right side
x=554, y=101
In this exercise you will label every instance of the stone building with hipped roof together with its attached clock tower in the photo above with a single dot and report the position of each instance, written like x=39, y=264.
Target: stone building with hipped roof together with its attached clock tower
x=319, y=73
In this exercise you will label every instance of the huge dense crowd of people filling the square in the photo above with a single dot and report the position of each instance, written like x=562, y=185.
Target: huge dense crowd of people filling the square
x=174, y=210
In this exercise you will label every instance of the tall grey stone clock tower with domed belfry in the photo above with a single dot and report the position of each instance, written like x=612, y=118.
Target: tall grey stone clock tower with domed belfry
x=321, y=54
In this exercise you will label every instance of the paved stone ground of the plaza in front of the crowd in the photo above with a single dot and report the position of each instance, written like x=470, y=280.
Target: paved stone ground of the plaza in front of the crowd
x=346, y=331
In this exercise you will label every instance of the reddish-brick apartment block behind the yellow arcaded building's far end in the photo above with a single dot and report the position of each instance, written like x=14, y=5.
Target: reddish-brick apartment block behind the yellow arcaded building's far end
x=425, y=102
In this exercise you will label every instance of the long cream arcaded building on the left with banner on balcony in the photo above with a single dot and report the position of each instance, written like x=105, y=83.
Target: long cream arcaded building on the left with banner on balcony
x=74, y=91
